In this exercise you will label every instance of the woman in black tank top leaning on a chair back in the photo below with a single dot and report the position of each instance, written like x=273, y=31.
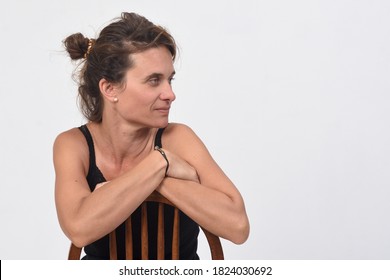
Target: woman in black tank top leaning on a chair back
x=106, y=168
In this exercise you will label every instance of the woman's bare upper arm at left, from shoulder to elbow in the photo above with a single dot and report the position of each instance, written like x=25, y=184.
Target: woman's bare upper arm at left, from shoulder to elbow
x=70, y=158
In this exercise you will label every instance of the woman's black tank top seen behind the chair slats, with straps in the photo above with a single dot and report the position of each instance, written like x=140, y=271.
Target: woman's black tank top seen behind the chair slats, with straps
x=189, y=230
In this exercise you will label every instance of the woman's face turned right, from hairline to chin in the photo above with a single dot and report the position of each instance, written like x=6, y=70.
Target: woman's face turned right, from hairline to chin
x=147, y=96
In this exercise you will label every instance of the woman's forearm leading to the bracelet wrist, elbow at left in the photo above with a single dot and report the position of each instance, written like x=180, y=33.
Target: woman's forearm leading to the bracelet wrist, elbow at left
x=101, y=211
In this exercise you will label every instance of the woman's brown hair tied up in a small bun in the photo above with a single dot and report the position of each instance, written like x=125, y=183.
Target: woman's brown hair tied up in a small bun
x=108, y=56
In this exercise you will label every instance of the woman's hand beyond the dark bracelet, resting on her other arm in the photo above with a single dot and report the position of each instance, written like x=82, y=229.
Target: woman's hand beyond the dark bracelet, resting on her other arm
x=180, y=169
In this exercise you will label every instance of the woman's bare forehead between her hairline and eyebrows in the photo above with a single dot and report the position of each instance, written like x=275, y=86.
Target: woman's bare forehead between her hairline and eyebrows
x=154, y=60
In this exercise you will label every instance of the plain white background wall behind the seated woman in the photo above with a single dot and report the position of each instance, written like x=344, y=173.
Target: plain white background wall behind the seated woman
x=291, y=98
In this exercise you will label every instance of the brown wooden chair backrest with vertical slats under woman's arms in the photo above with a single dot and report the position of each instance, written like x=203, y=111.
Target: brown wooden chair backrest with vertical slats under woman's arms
x=213, y=240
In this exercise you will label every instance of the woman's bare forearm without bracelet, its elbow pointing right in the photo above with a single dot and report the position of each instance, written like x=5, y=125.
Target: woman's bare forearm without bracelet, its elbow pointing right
x=214, y=210
